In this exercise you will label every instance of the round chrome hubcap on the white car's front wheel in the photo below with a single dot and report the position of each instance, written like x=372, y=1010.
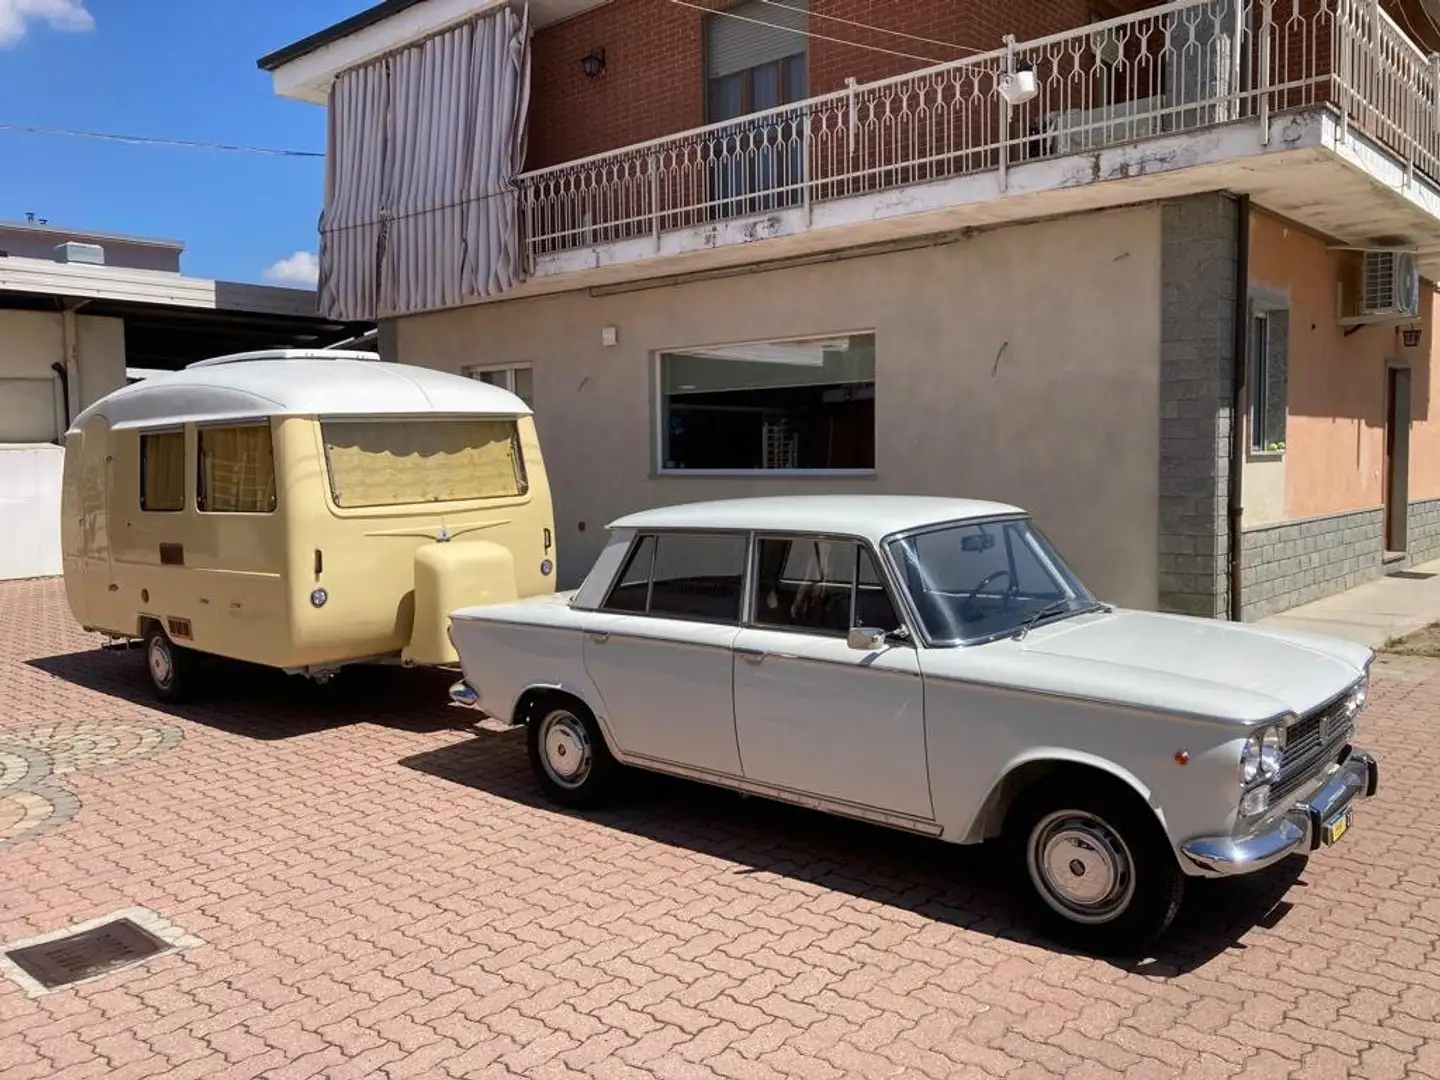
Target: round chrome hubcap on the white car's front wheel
x=1082, y=868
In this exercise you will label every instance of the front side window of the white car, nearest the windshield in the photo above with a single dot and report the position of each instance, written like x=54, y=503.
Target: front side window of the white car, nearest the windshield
x=823, y=587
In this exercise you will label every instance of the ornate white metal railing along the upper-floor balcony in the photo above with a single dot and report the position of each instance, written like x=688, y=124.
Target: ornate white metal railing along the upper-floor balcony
x=1179, y=67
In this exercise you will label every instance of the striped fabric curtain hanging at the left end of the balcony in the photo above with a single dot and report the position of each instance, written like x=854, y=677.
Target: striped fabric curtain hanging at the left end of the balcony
x=424, y=149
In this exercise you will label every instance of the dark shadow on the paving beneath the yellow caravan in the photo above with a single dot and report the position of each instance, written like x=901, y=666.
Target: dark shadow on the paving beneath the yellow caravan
x=264, y=703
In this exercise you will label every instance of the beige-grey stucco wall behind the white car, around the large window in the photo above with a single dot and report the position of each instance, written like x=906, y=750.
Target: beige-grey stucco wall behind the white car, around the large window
x=1006, y=369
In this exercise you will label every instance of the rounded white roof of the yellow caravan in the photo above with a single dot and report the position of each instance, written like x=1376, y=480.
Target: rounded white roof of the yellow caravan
x=299, y=382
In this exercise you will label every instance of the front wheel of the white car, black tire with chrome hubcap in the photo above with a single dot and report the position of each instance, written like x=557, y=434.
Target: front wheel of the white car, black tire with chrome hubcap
x=1135, y=883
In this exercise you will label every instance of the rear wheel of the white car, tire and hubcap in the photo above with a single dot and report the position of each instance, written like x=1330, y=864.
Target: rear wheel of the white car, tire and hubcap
x=568, y=754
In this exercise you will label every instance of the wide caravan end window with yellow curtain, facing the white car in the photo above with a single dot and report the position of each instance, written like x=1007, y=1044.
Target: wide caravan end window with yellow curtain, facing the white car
x=398, y=463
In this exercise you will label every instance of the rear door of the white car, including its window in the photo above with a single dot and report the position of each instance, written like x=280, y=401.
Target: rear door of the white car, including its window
x=659, y=650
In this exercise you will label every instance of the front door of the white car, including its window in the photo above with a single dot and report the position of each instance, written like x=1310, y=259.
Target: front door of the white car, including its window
x=813, y=714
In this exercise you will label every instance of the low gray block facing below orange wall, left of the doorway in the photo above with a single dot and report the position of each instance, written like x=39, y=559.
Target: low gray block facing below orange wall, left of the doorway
x=1304, y=561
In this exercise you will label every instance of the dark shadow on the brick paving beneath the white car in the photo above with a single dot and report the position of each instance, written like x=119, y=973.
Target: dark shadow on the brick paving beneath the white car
x=961, y=886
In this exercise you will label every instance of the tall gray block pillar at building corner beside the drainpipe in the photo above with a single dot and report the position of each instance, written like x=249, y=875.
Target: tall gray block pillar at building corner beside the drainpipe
x=1199, y=276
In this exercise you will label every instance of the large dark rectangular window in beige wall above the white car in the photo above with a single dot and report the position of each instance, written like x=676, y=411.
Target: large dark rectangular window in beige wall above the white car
x=801, y=405
